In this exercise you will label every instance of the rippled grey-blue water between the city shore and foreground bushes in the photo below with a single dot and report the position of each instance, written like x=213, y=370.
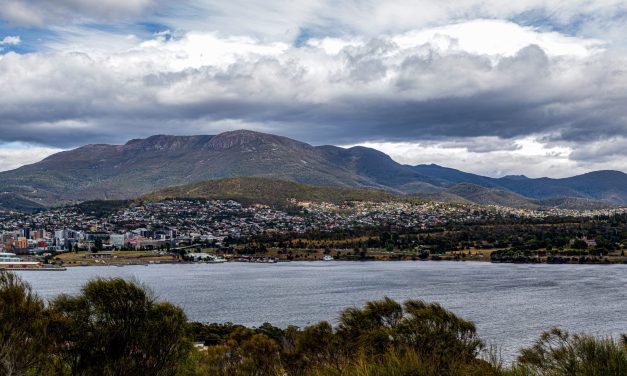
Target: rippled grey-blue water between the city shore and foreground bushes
x=511, y=304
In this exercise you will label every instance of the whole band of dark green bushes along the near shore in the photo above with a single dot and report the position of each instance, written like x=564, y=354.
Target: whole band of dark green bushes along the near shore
x=116, y=327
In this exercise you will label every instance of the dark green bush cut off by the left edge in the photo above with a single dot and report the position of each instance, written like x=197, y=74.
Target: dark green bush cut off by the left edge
x=24, y=322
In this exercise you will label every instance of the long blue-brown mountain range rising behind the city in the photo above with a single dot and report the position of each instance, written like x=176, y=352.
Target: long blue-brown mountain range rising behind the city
x=142, y=166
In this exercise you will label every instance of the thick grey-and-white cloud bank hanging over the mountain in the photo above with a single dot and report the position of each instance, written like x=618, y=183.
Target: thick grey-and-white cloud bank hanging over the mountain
x=448, y=84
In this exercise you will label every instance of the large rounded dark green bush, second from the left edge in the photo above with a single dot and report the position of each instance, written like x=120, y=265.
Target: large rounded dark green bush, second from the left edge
x=115, y=327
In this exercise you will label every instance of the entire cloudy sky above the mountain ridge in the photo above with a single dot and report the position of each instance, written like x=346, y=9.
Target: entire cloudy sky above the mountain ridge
x=494, y=87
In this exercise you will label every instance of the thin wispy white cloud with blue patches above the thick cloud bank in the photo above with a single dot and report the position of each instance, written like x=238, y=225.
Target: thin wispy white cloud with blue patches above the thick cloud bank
x=287, y=20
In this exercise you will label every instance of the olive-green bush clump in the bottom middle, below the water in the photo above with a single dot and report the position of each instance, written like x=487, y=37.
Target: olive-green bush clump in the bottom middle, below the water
x=411, y=338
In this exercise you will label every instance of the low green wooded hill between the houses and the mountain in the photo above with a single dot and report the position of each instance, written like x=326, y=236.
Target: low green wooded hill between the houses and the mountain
x=248, y=190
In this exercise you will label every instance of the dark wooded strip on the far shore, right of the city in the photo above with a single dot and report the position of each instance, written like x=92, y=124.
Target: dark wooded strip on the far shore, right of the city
x=551, y=233
